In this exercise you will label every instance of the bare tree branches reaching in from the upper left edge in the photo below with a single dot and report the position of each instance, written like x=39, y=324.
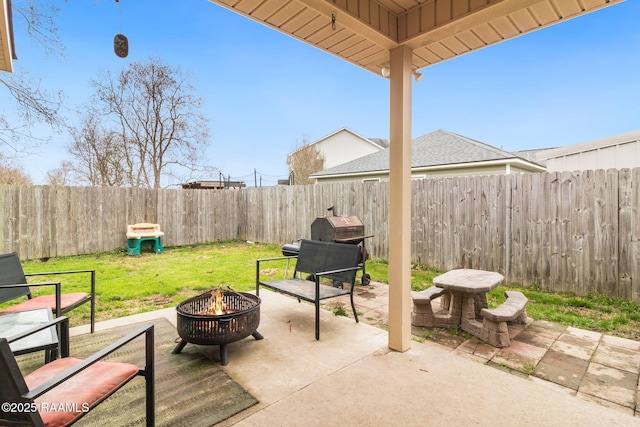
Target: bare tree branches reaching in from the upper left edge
x=31, y=103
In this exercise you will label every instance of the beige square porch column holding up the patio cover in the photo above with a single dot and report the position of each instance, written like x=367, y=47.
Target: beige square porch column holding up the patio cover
x=400, y=200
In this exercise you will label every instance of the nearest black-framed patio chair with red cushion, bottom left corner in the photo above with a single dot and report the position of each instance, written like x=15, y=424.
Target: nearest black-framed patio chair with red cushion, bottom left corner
x=61, y=392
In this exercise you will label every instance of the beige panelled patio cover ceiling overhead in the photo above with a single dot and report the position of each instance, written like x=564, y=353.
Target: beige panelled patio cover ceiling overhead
x=364, y=31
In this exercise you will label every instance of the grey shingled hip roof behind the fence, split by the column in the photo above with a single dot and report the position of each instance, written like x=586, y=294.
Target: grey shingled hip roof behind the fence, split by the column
x=437, y=148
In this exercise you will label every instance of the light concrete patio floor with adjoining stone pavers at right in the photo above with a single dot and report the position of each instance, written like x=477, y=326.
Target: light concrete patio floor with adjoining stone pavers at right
x=350, y=376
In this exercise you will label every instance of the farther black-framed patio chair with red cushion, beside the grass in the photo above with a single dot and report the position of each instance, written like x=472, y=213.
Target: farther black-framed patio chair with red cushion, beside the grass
x=13, y=284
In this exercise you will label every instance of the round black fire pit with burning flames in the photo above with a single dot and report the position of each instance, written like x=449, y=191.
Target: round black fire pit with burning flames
x=218, y=317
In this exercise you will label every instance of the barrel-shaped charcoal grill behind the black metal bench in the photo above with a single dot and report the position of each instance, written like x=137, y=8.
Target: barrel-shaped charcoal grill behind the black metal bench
x=338, y=229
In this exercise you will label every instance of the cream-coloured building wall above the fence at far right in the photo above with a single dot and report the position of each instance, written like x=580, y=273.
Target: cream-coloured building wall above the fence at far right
x=615, y=152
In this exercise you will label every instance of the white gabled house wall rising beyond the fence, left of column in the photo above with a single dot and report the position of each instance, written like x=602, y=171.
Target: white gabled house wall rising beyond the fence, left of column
x=343, y=146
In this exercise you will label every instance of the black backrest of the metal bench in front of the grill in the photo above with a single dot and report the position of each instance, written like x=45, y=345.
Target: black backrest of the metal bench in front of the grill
x=316, y=256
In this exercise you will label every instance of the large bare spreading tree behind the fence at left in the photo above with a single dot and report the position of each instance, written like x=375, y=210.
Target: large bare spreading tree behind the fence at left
x=151, y=117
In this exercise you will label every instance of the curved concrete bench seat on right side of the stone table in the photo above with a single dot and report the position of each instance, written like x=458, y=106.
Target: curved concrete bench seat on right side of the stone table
x=495, y=319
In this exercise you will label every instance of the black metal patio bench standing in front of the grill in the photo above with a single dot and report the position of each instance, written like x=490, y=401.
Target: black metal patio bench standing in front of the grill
x=337, y=262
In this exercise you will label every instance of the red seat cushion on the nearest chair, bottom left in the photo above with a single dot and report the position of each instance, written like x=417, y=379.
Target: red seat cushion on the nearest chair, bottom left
x=67, y=401
